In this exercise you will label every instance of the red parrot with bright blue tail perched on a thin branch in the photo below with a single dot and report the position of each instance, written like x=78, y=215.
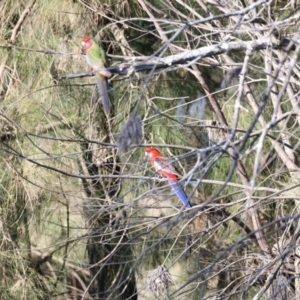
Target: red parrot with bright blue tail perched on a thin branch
x=163, y=167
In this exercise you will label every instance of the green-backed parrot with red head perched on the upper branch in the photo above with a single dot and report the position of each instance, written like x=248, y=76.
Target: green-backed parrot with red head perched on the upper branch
x=96, y=59
